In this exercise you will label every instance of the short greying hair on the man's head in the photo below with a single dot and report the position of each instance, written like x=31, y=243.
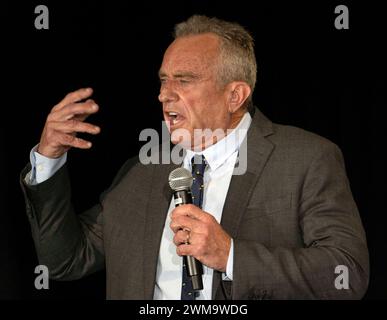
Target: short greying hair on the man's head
x=237, y=58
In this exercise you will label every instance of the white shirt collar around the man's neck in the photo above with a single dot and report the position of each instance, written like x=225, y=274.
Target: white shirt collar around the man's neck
x=218, y=153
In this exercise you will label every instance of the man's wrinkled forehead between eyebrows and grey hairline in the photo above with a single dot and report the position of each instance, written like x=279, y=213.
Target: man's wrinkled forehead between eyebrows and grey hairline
x=194, y=53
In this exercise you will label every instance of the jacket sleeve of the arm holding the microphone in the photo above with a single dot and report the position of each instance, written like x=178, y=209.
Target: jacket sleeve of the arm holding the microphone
x=333, y=236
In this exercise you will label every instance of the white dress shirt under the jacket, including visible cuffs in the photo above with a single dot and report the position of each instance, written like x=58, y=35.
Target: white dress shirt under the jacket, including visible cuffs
x=221, y=158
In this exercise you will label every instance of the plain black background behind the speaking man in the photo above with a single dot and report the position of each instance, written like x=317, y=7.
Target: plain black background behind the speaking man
x=311, y=75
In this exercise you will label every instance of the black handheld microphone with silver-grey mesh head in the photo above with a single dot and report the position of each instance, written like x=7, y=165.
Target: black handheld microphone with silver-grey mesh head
x=180, y=181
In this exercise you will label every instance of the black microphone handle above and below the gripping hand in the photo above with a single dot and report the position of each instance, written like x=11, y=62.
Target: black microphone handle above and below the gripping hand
x=194, y=267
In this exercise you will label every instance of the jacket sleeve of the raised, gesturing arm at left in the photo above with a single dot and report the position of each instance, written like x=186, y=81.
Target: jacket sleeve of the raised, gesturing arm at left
x=69, y=244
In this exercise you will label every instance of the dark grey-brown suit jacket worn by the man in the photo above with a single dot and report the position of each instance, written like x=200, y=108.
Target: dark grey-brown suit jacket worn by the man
x=291, y=215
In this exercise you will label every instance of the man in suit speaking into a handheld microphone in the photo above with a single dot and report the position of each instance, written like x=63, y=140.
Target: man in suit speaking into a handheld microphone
x=278, y=231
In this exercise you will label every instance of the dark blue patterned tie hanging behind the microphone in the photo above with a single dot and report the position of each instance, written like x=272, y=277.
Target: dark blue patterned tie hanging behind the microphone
x=198, y=166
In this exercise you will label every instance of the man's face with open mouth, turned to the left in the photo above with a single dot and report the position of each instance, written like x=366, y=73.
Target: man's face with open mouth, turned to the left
x=189, y=93
